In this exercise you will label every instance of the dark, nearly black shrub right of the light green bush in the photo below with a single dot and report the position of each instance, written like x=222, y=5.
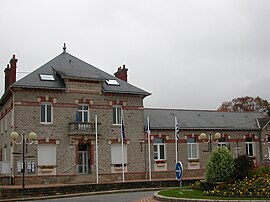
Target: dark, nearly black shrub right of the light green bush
x=243, y=166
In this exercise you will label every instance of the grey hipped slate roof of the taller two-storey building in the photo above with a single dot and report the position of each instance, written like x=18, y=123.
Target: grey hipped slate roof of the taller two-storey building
x=66, y=65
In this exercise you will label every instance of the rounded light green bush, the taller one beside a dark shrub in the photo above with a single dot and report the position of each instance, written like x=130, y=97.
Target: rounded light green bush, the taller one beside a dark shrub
x=220, y=165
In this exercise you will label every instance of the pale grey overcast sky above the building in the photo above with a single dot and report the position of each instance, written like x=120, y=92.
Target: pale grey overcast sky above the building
x=189, y=54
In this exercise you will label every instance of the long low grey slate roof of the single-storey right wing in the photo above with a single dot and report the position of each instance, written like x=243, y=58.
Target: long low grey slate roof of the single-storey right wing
x=201, y=119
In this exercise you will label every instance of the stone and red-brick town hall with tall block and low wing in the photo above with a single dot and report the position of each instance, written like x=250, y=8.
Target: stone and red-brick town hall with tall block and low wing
x=79, y=112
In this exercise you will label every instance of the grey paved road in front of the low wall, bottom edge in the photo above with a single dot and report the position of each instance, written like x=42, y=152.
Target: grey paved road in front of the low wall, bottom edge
x=119, y=197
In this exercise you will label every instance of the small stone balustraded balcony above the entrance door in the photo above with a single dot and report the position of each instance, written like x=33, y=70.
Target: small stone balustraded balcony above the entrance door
x=82, y=128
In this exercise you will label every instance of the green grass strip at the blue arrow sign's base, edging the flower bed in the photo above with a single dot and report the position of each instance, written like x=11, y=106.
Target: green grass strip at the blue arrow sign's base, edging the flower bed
x=197, y=194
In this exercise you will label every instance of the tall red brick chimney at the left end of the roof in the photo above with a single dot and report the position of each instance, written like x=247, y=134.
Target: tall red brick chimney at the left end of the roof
x=10, y=72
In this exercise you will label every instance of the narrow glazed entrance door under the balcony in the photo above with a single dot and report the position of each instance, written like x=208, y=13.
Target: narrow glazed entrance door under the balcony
x=83, y=159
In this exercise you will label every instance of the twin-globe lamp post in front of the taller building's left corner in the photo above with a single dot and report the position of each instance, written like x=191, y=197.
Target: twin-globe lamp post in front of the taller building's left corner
x=14, y=136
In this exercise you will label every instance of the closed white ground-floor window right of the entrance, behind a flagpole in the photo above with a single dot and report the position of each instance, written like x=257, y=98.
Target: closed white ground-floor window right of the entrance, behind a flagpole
x=116, y=154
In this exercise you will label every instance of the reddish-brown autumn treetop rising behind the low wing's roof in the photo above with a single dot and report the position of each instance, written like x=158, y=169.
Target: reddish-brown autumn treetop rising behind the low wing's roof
x=246, y=104
